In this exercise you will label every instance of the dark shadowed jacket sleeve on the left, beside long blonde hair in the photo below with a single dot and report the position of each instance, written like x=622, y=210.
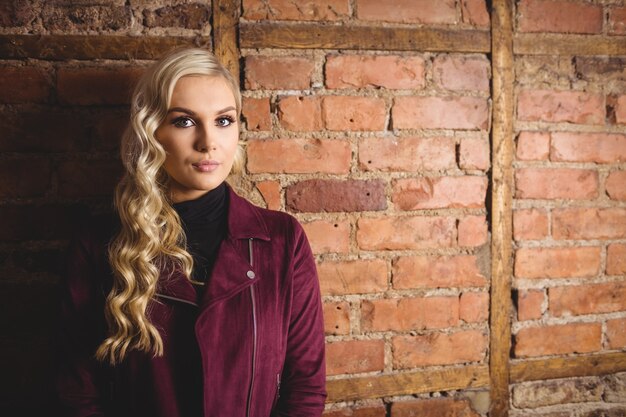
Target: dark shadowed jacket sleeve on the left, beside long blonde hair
x=80, y=377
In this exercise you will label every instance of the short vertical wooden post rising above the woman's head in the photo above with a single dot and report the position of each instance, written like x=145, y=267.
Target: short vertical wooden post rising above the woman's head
x=225, y=33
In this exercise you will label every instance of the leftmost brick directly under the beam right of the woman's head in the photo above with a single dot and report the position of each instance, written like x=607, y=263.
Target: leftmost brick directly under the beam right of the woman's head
x=278, y=72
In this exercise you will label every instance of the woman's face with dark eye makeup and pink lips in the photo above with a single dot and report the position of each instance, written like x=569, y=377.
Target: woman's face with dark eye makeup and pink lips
x=199, y=134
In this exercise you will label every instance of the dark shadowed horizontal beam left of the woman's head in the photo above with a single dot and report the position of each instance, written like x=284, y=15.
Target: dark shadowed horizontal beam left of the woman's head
x=62, y=47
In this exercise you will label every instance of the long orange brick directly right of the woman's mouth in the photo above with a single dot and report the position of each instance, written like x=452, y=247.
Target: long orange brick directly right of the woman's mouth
x=299, y=156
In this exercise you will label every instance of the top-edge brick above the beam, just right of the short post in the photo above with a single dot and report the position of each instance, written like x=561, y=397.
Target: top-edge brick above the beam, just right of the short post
x=301, y=10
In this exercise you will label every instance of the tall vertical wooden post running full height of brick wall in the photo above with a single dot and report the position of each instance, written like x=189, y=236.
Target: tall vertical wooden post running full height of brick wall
x=501, y=209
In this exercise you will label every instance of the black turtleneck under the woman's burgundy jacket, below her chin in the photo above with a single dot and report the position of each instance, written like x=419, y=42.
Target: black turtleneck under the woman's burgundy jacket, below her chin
x=204, y=222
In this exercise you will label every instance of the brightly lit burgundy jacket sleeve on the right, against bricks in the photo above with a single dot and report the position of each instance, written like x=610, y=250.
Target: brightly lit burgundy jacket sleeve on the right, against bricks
x=303, y=383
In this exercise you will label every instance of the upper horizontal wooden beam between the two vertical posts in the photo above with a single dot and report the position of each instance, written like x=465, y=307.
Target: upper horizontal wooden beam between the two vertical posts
x=305, y=36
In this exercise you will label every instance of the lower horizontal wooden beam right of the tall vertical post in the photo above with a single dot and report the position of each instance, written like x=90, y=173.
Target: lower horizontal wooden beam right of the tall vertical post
x=586, y=365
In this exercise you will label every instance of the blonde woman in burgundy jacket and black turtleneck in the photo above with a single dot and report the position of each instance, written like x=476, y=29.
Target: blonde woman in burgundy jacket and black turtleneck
x=199, y=304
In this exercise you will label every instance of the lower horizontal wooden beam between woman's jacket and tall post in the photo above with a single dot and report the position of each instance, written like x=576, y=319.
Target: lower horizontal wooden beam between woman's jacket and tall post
x=447, y=379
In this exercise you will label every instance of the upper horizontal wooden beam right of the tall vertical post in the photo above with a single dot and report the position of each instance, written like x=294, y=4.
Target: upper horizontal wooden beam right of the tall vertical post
x=542, y=44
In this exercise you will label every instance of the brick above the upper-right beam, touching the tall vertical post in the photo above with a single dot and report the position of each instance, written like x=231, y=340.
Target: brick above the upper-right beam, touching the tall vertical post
x=559, y=16
